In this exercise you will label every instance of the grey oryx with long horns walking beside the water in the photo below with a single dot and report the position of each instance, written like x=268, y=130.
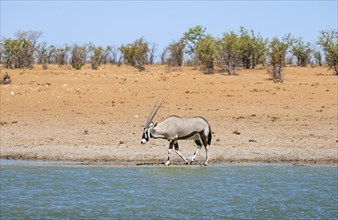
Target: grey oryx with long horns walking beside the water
x=174, y=128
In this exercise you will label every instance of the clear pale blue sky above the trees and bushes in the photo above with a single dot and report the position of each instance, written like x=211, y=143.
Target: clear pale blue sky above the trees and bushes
x=162, y=22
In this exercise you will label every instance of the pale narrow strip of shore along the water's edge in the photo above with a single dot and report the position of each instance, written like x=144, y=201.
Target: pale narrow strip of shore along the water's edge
x=155, y=153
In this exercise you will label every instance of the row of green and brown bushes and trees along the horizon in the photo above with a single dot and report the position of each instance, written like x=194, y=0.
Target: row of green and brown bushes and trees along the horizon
x=225, y=54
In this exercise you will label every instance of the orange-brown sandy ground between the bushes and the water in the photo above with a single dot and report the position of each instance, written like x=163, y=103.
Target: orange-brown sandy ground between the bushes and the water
x=88, y=115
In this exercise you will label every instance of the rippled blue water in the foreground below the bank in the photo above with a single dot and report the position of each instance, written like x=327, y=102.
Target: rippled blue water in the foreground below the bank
x=192, y=192
